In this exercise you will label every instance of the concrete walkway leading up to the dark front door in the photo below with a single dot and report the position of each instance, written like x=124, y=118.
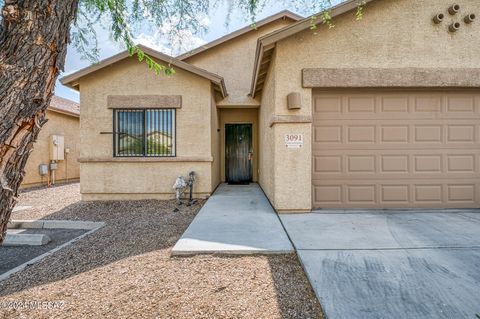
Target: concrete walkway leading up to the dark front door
x=237, y=219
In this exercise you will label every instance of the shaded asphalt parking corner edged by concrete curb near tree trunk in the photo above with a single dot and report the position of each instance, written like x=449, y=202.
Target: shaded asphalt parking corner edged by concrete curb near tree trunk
x=13, y=256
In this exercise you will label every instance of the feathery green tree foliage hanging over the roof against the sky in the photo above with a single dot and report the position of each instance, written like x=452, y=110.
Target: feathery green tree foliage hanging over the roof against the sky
x=124, y=18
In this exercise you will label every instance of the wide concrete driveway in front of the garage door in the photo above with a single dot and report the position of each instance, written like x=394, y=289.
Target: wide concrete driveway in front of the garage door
x=391, y=264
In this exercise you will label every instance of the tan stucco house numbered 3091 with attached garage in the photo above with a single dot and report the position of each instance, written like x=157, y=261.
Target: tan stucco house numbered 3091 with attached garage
x=378, y=113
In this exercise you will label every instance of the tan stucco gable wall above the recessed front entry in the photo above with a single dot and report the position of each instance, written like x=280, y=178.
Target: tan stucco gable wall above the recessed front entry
x=234, y=61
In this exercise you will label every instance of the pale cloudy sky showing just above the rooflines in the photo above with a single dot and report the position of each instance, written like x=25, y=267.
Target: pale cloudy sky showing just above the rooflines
x=216, y=27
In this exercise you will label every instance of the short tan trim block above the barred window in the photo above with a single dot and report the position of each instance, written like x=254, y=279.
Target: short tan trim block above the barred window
x=144, y=101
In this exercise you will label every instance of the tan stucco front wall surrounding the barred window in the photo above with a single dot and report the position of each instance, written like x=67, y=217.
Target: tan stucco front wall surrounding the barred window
x=106, y=177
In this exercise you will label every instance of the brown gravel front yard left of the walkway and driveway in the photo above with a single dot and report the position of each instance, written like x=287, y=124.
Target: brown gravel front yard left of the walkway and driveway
x=124, y=270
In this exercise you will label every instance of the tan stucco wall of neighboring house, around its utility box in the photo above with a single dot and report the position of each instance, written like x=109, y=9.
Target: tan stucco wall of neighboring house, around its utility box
x=58, y=124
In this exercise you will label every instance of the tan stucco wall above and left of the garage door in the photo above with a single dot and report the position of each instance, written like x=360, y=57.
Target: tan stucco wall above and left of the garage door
x=393, y=34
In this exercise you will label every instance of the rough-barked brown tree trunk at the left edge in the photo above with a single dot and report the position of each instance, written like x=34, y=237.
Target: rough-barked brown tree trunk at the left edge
x=33, y=43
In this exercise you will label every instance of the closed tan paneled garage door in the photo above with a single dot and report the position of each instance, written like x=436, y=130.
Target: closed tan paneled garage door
x=396, y=149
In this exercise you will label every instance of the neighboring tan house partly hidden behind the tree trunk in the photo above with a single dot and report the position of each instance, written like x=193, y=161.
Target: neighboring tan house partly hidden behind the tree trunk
x=63, y=126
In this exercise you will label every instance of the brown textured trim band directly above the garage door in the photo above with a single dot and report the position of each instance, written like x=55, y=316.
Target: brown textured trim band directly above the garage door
x=399, y=77
